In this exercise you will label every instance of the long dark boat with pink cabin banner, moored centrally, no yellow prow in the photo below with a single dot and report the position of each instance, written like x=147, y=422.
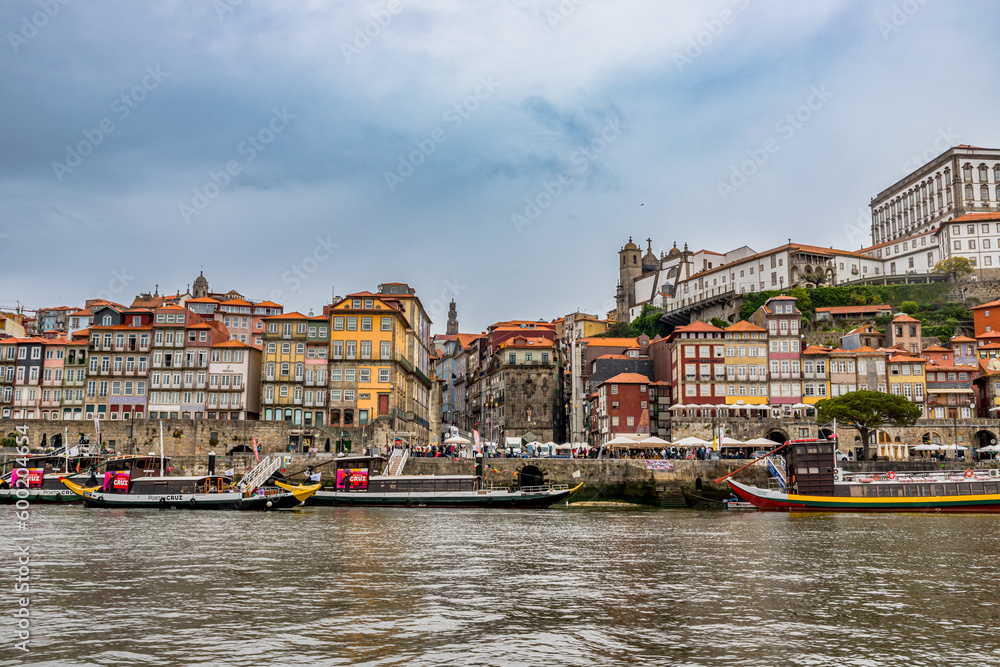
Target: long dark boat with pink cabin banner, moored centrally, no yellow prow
x=363, y=480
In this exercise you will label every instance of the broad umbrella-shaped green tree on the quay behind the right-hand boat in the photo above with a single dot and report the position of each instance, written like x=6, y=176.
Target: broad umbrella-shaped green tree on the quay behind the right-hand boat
x=866, y=411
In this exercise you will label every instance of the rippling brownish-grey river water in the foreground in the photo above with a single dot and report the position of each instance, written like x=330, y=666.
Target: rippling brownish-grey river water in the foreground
x=563, y=586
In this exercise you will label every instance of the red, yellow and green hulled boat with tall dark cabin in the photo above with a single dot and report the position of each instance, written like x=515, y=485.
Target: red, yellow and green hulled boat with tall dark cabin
x=814, y=483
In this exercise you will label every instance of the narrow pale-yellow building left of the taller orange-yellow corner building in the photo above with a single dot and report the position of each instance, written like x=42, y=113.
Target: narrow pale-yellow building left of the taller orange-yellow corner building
x=283, y=359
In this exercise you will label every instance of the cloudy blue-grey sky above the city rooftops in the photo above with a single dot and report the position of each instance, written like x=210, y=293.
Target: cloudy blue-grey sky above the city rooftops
x=498, y=154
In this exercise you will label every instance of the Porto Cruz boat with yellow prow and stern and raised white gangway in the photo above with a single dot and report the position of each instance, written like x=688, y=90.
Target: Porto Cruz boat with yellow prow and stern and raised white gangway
x=196, y=492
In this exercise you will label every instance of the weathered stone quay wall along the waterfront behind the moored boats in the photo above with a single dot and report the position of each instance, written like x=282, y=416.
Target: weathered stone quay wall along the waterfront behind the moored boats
x=187, y=443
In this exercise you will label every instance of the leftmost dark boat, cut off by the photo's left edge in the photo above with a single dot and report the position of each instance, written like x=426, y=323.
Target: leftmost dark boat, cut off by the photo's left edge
x=45, y=472
